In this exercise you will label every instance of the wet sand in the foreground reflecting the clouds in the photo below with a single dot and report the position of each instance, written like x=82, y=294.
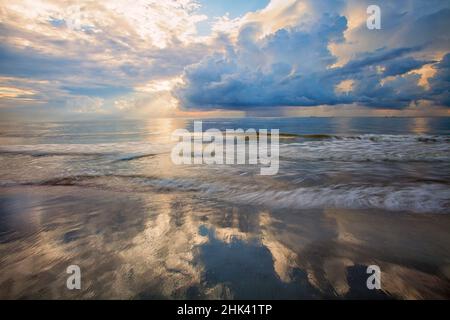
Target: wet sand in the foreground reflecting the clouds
x=176, y=245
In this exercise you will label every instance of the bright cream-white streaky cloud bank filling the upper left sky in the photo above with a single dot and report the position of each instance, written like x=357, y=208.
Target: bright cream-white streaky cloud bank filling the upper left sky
x=86, y=50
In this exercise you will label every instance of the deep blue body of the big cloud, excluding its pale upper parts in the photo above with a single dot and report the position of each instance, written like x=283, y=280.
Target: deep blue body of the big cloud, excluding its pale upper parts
x=292, y=68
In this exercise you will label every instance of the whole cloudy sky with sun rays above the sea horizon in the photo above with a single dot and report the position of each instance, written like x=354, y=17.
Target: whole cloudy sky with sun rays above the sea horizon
x=67, y=59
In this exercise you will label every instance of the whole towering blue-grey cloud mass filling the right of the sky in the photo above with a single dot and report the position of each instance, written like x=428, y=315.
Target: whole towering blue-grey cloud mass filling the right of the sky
x=296, y=65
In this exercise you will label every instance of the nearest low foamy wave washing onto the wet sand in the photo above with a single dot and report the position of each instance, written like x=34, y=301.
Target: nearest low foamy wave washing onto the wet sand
x=421, y=197
